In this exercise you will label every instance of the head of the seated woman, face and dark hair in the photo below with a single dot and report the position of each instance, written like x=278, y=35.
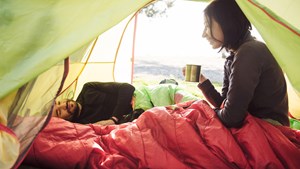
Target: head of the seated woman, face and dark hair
x=225, y=24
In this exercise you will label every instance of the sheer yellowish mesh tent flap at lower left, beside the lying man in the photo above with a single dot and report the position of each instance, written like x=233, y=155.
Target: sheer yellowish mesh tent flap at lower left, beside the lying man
x=34, y=99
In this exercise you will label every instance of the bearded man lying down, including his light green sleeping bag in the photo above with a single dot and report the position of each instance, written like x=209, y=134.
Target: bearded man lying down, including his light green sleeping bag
x=97, y=100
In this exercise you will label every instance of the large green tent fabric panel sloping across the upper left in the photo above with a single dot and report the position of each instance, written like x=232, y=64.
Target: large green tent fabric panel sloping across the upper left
x=35, y=35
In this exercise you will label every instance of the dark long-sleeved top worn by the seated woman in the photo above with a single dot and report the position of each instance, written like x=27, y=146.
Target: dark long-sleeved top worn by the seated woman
x=253, y=82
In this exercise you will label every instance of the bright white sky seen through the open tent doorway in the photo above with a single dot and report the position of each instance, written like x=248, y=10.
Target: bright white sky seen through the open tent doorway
x=176, y=35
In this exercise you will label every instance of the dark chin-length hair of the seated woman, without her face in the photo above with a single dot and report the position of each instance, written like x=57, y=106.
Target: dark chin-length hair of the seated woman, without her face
x=231, y=19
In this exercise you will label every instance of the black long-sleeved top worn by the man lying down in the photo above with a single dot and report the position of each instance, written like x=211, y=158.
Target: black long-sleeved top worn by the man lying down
x=102, y=100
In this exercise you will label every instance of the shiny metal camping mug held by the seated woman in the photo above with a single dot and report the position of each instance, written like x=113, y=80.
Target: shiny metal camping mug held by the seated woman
x=192, y=73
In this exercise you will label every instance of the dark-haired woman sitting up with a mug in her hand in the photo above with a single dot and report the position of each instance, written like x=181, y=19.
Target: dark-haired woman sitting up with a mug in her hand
x=253, y=80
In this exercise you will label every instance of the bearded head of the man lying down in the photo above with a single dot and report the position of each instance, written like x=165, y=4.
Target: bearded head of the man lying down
x=66, y=109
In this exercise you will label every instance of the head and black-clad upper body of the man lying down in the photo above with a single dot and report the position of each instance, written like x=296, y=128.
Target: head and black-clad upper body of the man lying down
x=104, y=103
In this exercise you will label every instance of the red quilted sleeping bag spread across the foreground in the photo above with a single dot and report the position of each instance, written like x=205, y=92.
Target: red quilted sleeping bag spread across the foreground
x=167, y=137
